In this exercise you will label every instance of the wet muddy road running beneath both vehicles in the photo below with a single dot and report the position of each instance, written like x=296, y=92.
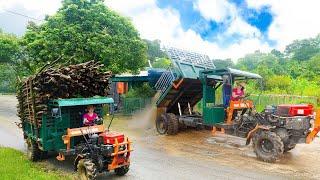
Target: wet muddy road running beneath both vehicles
x=189, y=155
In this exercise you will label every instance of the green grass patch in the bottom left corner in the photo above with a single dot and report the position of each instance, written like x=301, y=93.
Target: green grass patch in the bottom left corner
x=15, y=165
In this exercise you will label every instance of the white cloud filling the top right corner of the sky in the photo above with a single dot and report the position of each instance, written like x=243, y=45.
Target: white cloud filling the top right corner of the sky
x=293, y=19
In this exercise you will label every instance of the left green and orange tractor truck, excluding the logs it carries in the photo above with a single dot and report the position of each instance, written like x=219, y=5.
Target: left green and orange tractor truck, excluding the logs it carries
x=95, y=148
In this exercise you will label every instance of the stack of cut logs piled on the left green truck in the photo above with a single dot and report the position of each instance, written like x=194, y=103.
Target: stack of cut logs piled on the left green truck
x=81, y=80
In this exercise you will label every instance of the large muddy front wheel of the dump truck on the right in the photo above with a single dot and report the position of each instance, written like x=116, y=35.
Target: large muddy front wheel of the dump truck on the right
x=268, y=146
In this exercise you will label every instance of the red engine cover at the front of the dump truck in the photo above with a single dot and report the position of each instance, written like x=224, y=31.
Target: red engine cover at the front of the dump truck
x=295, y=110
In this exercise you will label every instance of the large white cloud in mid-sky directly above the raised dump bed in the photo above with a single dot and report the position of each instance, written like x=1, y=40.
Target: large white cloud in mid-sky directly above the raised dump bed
x=164, y=24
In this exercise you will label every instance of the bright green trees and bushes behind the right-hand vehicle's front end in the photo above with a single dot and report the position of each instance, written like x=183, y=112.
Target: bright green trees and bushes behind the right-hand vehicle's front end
x=294, y=71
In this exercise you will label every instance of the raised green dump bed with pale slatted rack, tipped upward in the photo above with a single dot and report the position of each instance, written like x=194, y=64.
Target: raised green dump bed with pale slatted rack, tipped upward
x=180, y=85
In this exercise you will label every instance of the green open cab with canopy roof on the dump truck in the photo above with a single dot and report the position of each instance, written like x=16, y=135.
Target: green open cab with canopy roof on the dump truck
x=222, y=114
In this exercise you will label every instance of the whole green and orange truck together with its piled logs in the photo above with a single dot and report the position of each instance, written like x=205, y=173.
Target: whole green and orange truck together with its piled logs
x=51, y=107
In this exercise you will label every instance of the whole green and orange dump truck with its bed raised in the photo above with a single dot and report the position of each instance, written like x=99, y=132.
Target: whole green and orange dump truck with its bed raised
x=193, y=78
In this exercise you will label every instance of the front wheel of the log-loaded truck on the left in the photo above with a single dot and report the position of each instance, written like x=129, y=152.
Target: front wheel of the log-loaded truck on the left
x=86, y=169
